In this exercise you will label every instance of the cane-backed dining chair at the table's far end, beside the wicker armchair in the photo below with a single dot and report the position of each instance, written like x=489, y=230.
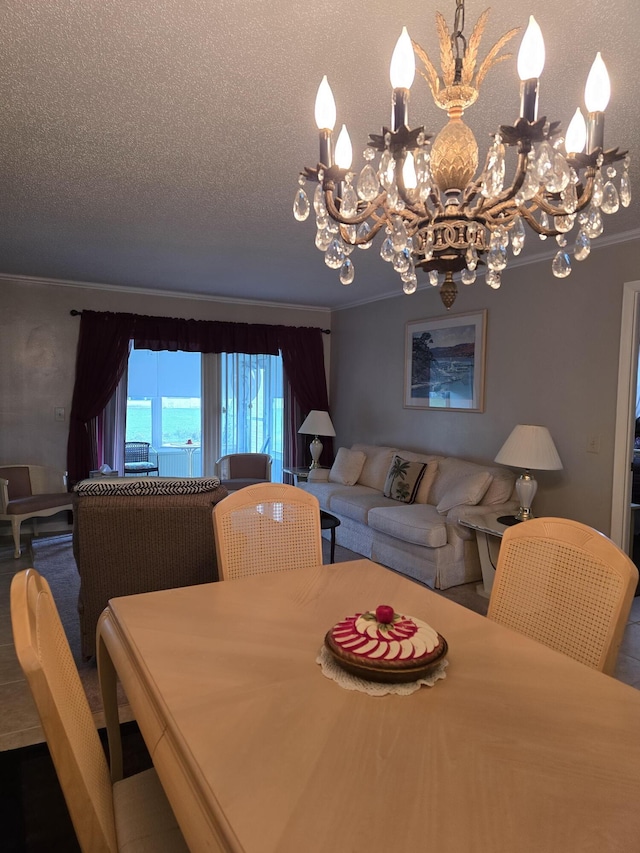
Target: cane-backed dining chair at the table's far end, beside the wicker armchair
x=268, y=527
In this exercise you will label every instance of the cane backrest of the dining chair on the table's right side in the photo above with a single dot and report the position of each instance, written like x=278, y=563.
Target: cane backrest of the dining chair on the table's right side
x=566, y=585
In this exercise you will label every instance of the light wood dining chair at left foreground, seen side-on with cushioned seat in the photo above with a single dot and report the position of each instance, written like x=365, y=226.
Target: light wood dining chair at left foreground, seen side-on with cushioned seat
x=131, y=814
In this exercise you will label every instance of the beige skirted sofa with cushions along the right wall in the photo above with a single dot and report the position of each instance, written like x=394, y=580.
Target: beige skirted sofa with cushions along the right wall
x=422, y=539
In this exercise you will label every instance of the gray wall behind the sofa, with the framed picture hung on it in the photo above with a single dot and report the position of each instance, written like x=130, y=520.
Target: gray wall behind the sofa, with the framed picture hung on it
x=552, y=359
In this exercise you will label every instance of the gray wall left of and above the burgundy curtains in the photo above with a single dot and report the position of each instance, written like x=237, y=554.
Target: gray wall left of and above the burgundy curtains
x=38, y=339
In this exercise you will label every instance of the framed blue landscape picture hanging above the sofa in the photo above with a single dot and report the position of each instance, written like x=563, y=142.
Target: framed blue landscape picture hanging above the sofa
x=444, y=363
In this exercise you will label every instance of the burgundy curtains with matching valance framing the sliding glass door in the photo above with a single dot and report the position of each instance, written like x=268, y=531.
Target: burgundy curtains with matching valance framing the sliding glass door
x=103, y=351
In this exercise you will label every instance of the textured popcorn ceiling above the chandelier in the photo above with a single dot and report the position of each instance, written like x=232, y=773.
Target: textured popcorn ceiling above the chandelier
x=156, y=143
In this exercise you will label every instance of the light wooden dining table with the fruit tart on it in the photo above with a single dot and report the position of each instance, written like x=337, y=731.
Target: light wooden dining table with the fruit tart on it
x=518, y=749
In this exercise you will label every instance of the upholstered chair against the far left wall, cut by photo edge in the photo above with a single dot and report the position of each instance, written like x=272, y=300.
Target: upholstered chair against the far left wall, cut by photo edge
x=28, y=492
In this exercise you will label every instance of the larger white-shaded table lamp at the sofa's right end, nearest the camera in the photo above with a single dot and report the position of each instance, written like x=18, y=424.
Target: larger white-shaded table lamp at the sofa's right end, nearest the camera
x=528, y=446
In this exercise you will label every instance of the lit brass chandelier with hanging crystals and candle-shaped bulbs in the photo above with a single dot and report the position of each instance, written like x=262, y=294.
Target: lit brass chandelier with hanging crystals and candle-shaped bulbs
x=435, y=214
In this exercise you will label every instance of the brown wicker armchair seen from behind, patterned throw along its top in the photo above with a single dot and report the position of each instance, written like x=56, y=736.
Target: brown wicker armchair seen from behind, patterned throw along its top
x=127, y=543
